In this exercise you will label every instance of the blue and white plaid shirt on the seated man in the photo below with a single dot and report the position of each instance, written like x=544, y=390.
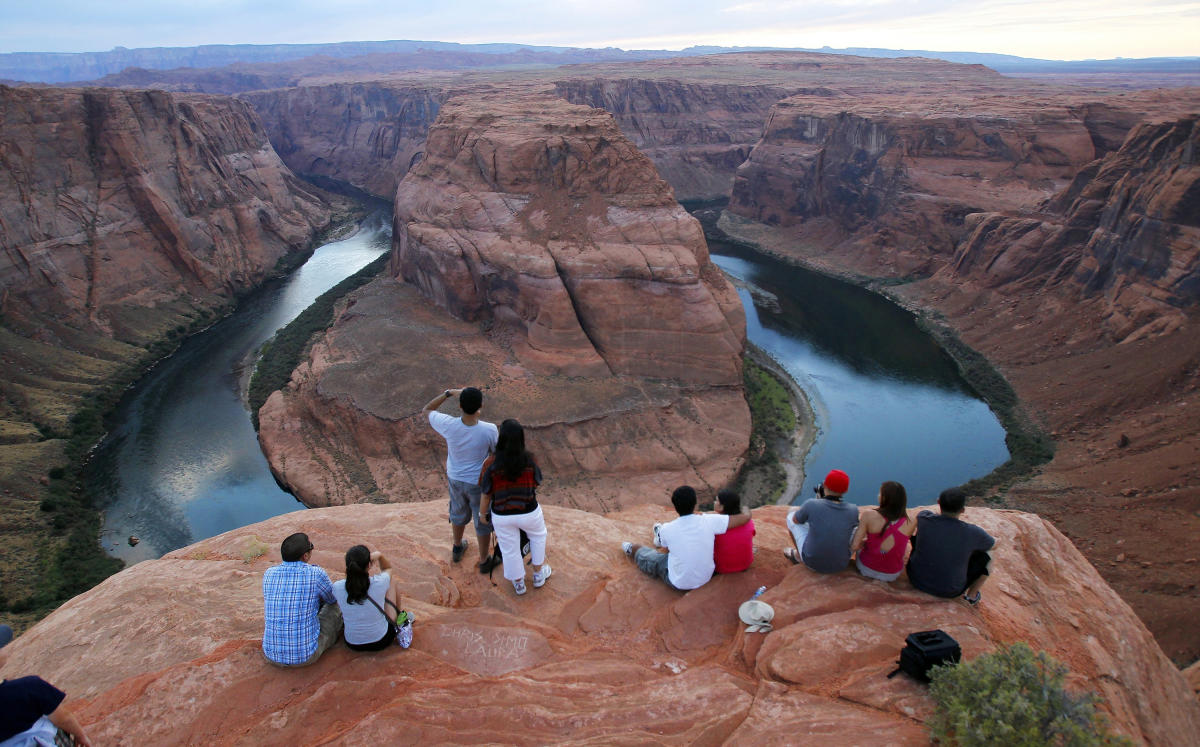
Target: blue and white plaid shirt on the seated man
x=292, y=596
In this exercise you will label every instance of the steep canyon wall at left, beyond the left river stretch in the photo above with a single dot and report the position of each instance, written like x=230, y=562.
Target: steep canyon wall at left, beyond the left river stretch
x=129, y=218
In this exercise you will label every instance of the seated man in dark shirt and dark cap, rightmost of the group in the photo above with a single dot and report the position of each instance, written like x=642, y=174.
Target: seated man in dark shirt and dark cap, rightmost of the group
x=950, y=557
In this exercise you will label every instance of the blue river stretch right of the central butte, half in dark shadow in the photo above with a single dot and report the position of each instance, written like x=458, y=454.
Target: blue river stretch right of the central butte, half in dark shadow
x=889, y=402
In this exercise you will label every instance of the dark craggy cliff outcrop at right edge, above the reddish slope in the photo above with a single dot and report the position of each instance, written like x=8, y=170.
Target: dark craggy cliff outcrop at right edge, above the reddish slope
x=1127, y=230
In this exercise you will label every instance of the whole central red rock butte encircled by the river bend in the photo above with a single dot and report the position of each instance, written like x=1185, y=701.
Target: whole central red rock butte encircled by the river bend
x=550, y=265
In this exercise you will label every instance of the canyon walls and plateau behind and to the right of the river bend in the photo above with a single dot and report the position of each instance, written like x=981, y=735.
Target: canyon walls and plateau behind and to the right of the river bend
x=897, y=175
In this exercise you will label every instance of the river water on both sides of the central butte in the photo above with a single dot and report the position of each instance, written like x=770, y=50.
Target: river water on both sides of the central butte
x=182, y=462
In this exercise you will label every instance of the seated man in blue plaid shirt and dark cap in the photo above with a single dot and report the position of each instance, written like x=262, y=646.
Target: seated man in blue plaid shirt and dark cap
x=297, y=630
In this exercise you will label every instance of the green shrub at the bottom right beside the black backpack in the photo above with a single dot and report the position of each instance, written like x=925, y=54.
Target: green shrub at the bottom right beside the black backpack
x=1017, y=698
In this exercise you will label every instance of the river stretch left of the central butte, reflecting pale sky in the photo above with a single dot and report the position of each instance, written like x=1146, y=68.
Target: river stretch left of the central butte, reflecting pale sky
x=182, y=462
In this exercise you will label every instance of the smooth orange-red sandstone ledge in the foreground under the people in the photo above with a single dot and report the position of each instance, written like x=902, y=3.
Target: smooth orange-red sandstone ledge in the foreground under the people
x=170, y=650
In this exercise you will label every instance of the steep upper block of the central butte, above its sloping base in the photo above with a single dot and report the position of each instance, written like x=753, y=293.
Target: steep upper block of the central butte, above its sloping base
x=541, y=218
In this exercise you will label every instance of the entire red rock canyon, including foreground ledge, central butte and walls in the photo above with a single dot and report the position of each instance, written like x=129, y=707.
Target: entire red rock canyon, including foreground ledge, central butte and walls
x=539, y=252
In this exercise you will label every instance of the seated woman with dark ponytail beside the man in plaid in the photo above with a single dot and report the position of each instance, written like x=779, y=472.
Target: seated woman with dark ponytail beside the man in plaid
x=364, y=601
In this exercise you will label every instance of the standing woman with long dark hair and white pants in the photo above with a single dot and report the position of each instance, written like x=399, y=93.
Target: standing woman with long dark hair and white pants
x=509, y=483
